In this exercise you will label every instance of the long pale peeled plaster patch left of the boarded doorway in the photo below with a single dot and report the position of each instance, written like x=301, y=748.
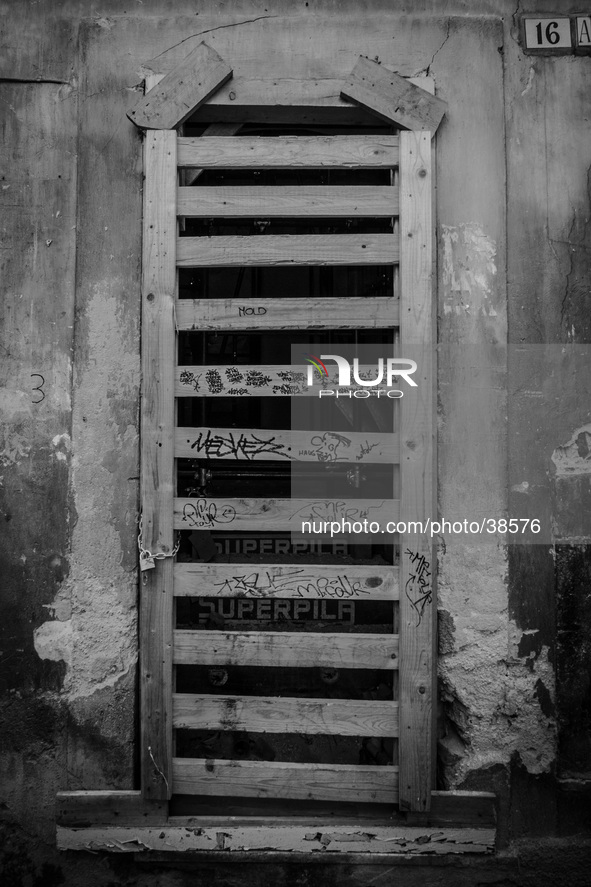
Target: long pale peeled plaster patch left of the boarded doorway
x=95, y=611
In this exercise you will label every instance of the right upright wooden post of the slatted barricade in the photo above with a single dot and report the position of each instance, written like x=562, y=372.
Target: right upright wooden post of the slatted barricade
x=417, y=606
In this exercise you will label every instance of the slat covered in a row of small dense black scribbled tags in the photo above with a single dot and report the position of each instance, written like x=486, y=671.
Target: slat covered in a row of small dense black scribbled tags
x=268, y=381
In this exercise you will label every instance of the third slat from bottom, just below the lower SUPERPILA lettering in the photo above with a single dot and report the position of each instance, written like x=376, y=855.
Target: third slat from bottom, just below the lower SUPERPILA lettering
x=282, y=649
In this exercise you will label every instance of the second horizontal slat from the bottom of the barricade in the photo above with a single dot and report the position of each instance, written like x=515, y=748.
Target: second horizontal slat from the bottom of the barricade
x=269, y=714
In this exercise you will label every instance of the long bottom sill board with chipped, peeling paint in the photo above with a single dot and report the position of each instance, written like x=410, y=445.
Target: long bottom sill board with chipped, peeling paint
x=330, y=838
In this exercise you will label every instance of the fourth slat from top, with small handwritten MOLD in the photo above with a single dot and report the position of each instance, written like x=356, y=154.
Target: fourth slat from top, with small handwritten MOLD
x=287, y=313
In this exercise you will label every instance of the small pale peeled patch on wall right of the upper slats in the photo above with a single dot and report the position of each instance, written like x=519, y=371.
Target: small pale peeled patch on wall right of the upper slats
x=468, y=269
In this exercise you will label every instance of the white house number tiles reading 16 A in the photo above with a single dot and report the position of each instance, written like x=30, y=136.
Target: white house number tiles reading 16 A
x=554, y=34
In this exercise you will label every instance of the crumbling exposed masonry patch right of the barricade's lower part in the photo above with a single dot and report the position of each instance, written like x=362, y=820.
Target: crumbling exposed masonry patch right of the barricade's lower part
x=497, y=702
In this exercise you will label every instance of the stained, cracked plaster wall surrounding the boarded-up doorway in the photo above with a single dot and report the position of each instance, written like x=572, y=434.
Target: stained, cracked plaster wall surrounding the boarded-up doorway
x=513, y=210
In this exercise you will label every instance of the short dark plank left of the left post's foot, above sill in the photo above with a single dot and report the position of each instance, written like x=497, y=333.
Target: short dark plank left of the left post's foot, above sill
x=85, y=809
